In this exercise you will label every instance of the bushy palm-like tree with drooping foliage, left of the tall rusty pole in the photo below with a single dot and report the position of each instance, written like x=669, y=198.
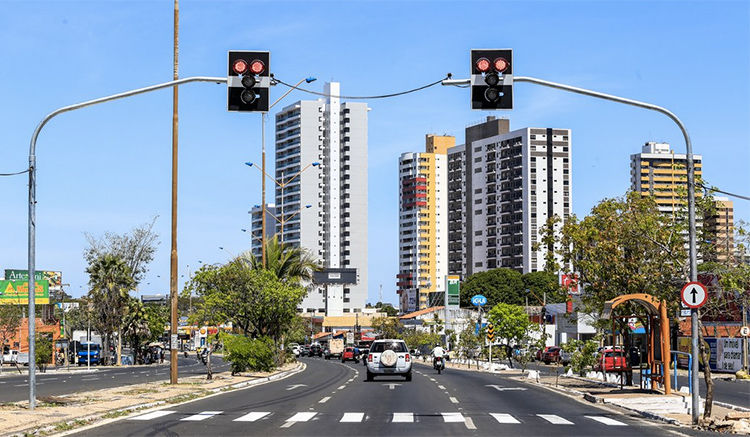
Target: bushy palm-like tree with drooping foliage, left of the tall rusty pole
x=110, y=280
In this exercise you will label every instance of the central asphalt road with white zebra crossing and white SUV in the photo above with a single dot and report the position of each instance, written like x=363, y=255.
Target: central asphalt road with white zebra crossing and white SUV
x=331, y=398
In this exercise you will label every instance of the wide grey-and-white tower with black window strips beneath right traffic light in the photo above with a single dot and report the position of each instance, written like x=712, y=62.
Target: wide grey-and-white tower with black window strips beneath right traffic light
x=515, y=181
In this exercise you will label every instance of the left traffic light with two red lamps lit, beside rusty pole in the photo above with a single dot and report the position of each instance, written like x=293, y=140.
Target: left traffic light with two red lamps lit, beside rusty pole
x=248, y=80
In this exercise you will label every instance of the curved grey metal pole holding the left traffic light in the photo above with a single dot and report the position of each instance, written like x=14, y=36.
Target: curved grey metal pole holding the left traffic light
x=32, y=203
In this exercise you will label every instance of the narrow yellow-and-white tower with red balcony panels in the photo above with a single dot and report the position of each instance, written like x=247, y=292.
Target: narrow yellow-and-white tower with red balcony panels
x=423, y=223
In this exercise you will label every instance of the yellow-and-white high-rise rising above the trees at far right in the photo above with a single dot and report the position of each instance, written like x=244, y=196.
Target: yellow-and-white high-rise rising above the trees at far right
x=659, y=172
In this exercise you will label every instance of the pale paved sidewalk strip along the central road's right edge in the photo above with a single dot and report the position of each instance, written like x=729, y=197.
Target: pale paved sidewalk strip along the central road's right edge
x=675, y=408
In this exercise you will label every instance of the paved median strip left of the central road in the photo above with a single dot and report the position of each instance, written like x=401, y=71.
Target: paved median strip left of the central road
x=62, y=413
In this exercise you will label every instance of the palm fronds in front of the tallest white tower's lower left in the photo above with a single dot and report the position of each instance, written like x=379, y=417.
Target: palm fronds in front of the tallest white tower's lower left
x=287, y=262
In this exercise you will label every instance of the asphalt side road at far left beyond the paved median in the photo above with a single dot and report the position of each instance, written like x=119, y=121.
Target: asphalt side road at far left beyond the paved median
x=15, y=388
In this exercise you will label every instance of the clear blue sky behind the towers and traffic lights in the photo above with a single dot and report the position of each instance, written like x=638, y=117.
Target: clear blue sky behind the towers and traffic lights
x=108, y=167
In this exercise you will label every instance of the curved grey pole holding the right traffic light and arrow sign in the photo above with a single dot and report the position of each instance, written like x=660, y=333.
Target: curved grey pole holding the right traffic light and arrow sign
x=691, y=199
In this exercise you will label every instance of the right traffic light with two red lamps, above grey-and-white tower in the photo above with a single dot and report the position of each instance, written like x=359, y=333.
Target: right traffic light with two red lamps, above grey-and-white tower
x=492, y=79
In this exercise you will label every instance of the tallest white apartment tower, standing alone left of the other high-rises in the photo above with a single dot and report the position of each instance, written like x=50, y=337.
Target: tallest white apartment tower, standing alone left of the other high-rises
x=334, y=227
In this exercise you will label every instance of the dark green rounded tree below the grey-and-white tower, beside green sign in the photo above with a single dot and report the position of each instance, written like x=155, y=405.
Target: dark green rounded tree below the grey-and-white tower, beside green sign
x=497, y=285
